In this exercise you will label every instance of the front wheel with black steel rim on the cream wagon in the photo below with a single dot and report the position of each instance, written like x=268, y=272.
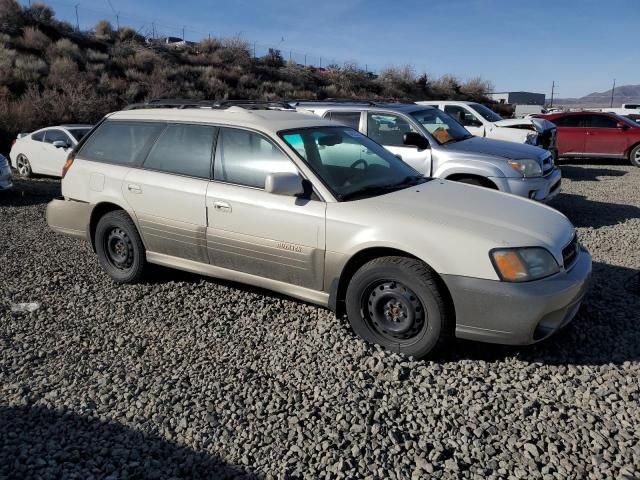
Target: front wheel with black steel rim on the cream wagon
x=396, y=302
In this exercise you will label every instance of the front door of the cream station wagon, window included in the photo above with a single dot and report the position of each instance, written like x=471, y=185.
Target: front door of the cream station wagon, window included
x=252, y=231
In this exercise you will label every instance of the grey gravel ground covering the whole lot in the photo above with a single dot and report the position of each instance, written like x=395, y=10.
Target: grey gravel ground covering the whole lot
x=185, y=376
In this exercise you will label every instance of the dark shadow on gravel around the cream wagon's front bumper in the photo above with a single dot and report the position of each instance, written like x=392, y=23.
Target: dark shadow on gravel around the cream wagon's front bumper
x=605, y=331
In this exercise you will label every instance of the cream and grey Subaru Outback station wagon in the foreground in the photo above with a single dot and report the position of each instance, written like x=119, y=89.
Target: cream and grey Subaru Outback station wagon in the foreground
x=318, y=211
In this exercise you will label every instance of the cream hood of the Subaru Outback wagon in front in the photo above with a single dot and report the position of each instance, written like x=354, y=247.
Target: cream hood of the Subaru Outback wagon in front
x=482, y=217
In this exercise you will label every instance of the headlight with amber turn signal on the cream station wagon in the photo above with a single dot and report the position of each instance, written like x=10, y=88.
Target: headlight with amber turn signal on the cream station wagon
x=523, y=264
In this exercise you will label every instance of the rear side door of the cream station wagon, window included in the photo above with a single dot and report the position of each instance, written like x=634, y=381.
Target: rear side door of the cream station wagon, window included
x=168, y=192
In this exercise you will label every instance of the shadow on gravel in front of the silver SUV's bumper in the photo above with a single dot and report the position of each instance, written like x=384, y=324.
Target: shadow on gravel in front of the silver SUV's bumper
x=584, y=212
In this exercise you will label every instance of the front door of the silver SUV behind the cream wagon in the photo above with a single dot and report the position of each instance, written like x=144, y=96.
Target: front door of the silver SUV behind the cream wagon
x=388, y=130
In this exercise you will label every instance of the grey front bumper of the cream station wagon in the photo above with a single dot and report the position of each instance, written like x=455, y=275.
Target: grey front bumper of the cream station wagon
x=518, y=313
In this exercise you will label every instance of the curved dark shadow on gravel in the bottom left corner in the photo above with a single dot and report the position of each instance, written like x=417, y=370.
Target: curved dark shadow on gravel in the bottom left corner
x=39, y=442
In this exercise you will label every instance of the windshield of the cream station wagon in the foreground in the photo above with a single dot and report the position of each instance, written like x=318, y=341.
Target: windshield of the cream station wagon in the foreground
x=350, y=164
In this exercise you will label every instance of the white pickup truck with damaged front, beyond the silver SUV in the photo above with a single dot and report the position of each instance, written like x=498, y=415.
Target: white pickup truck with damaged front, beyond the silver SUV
x=484, y=122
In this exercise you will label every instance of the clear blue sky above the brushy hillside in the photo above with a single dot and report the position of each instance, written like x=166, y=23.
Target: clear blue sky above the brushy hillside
x=517, y=45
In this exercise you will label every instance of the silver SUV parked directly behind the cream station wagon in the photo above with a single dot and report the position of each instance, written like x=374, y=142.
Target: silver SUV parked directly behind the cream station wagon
x=438, y=146
